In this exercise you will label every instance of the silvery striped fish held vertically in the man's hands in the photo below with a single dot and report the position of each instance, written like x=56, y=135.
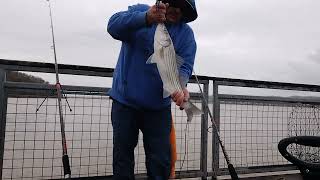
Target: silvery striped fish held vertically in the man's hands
x=168, y=64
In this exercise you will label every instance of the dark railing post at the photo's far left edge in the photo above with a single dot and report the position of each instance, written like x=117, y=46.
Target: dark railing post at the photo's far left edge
x=3, y=111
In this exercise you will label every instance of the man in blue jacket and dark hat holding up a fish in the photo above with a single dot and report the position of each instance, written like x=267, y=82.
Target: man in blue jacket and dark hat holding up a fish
x=137, y=95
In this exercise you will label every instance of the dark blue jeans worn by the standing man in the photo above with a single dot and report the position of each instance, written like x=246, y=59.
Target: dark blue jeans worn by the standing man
x=155, y=126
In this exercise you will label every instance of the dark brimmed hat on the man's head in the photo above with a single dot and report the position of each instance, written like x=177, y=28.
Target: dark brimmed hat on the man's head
x=188, y=8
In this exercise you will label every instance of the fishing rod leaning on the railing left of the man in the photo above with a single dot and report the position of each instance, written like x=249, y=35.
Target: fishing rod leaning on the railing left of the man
x=65, y=157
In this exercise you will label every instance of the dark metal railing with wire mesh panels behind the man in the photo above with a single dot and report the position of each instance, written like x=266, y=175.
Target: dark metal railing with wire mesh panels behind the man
x=250, y=126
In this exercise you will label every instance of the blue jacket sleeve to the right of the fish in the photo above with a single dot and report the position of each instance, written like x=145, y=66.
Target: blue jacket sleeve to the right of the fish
x=187, y=51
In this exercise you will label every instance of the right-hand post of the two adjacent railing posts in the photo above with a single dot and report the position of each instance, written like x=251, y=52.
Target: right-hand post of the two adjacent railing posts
x=215, y=139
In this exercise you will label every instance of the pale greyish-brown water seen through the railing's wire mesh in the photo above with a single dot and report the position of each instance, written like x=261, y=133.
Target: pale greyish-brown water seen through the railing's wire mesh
x=250, y=132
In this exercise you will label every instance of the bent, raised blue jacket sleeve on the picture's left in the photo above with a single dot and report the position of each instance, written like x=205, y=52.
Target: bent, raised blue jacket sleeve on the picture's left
x=122, y=24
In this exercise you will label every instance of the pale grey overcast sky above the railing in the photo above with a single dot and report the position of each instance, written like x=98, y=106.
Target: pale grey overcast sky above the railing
x=271, y=40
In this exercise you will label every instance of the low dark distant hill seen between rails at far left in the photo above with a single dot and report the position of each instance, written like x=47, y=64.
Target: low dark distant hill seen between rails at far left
x=23, y=77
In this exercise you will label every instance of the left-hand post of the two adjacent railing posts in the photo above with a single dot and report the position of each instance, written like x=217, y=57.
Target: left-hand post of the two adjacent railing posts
x=204, y=133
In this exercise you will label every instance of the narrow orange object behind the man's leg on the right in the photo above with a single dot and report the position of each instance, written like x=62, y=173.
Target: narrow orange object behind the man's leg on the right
x=173, y=150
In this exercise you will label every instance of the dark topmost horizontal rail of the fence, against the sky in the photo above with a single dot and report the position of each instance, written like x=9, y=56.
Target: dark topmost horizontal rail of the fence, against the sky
x=14, y=65
